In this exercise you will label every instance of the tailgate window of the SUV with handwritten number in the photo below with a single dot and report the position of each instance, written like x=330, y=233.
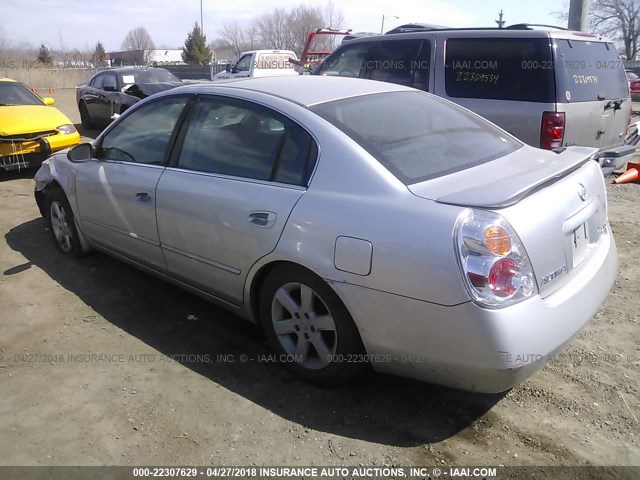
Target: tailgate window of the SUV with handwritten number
x=589, y=71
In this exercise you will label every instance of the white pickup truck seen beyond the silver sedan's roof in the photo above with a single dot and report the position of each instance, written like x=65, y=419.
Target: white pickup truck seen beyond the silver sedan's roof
x=261, y=63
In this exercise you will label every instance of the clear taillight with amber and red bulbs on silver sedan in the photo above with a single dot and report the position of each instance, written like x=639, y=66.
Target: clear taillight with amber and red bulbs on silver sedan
x=494, y=264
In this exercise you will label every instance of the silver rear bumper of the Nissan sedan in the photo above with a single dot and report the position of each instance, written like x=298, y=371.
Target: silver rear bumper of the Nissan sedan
x=473, y=348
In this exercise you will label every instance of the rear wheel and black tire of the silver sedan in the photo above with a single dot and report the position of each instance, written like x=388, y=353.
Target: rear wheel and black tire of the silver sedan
x=317, y=339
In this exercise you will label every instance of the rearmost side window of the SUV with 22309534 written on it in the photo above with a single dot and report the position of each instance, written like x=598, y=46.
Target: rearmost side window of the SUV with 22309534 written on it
x=518, y=69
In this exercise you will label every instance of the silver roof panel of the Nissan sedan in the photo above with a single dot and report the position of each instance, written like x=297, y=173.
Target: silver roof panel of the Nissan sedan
x=305, y=90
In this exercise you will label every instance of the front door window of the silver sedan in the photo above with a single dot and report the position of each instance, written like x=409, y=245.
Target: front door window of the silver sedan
x=144, y=135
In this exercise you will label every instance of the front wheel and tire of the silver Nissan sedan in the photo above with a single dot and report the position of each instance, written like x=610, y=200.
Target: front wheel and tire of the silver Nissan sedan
x=60, y=221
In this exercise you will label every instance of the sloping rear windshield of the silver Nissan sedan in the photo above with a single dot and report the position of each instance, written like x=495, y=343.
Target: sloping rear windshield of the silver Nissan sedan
x=417, y=136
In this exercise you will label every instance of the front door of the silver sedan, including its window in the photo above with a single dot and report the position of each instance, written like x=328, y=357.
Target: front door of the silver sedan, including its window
x=116, y=192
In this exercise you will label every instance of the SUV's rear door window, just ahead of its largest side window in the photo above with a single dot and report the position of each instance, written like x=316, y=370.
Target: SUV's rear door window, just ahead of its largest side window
x=405, y=62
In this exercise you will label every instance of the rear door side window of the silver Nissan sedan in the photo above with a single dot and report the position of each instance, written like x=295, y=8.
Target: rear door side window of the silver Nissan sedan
x=237, y=138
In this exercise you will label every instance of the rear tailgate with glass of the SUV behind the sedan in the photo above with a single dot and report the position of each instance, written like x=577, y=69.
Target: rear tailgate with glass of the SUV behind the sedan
x=593, y=93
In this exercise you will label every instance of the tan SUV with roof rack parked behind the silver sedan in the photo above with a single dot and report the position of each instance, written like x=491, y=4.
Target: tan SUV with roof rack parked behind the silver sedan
x=551, y=88
